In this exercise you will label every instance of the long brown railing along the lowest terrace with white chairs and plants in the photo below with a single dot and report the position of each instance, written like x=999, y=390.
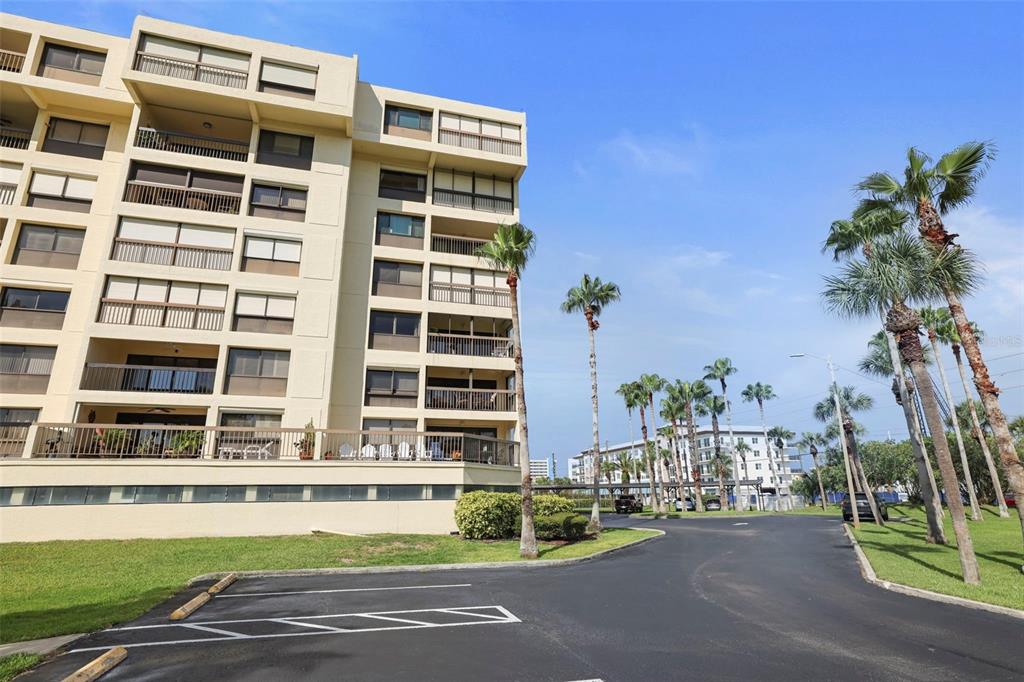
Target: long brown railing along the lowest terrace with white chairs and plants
x=227, y=443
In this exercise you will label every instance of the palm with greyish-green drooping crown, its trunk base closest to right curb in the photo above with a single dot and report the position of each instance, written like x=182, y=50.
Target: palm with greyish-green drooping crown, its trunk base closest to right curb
x=905, y=270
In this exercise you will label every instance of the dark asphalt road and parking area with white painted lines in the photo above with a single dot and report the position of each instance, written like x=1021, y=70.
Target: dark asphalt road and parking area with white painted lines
x=780, y=599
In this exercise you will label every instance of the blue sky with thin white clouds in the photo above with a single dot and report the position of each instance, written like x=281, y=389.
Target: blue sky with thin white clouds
x=696, y=154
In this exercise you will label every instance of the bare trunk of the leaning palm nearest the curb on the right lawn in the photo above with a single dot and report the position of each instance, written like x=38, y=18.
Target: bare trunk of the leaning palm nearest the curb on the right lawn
x=905, y=323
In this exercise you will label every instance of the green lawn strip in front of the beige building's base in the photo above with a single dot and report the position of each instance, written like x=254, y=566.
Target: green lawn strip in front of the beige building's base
x=60, y=588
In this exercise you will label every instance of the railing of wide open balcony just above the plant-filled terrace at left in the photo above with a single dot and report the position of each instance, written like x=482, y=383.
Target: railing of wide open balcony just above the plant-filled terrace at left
x=150, y=379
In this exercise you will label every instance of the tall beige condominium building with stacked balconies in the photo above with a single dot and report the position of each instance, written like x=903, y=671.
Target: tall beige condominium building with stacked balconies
x=234, y=274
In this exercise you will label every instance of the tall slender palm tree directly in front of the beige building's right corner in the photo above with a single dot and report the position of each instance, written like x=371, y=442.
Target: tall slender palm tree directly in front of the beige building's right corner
x=509, y=251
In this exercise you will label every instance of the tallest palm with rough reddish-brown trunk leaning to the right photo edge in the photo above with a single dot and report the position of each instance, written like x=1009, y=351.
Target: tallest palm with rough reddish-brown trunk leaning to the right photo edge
x=932, y=193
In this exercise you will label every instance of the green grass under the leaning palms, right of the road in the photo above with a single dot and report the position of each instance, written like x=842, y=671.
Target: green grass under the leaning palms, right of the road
x=899, y=553
